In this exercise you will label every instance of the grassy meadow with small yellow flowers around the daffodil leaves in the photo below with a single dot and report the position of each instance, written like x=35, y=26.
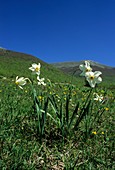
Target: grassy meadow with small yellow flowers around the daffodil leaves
x=21, y=147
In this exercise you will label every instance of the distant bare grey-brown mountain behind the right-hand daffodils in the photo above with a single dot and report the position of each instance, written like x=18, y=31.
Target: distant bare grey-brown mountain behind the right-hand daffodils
x=72, y=68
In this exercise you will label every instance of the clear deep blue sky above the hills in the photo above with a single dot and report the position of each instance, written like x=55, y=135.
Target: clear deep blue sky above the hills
x=60, y=30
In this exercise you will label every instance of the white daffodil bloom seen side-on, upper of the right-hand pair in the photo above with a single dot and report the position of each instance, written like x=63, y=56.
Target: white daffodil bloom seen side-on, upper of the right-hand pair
x=85, y=68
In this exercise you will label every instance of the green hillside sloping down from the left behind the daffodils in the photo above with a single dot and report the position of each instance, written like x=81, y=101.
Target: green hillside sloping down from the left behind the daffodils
x=14, y=63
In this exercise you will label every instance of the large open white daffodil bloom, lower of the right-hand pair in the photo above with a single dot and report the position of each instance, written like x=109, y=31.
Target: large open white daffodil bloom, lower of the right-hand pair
x=93, y=78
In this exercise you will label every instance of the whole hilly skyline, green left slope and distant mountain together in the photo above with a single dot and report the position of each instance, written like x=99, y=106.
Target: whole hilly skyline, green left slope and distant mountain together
x=15, y=63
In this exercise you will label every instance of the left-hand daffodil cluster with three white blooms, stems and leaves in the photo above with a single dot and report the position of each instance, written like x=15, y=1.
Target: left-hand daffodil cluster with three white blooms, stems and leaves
x=21, y=82
